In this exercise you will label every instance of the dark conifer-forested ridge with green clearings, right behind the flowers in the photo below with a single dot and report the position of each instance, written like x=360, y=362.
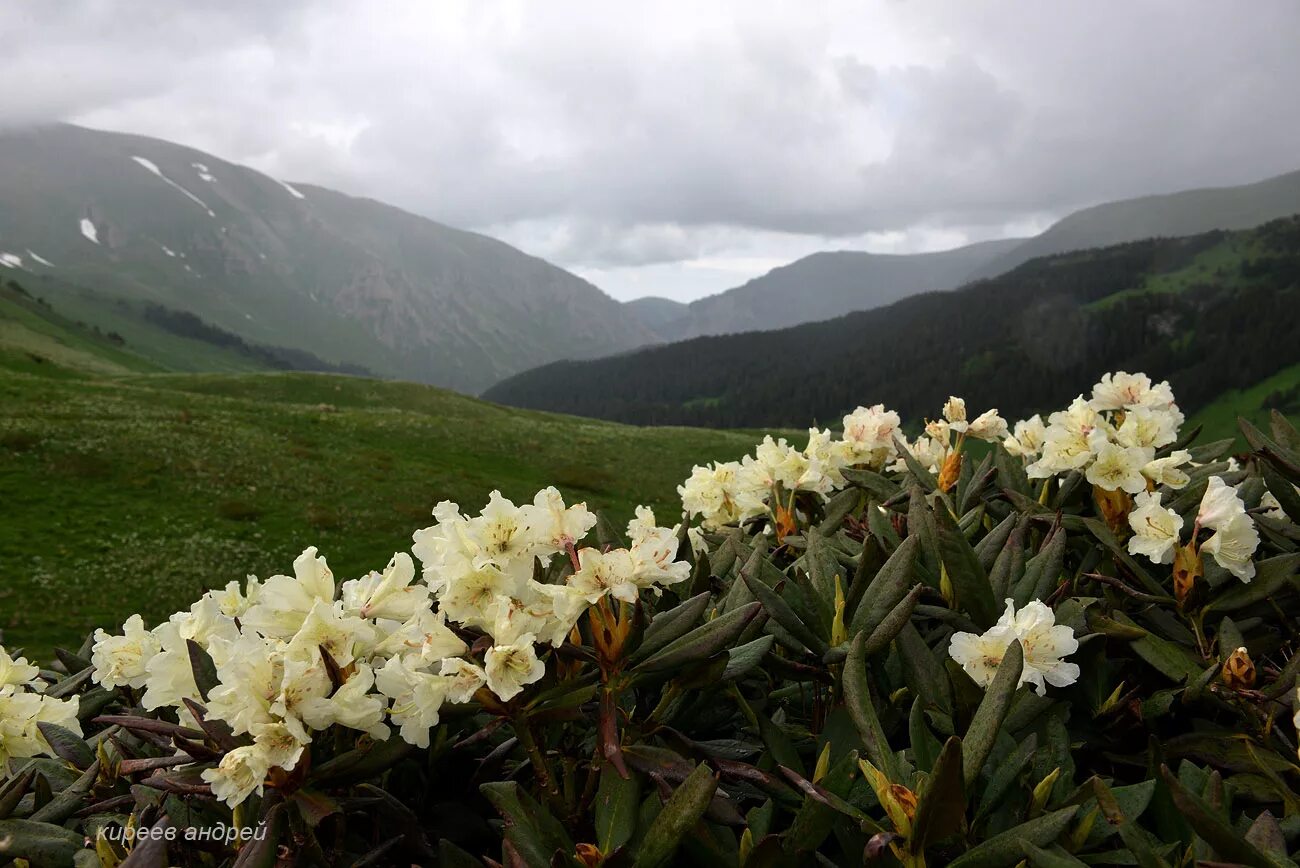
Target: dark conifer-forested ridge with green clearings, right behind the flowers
x=1212, y=313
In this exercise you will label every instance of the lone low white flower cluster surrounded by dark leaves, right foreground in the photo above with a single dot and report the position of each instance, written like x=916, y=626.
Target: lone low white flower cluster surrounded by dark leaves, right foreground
x=1043, y=641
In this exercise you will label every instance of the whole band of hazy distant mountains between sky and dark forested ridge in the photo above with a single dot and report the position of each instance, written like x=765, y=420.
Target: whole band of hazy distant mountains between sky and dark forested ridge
x=119, y=229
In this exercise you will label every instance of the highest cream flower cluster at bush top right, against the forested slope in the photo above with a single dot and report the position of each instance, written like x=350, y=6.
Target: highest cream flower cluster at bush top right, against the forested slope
x=1112, y=439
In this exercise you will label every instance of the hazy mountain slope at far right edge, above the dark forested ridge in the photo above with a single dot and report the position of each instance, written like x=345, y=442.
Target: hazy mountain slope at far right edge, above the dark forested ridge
x=1181, y=214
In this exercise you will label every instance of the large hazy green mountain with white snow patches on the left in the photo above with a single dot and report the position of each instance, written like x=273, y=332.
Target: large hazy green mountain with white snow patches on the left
x=352, y=281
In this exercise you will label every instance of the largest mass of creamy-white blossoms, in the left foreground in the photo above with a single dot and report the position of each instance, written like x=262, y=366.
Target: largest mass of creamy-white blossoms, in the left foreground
x=297, y=656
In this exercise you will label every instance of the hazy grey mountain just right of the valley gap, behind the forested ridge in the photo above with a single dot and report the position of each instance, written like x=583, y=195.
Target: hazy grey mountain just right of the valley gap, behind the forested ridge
x=829, y=285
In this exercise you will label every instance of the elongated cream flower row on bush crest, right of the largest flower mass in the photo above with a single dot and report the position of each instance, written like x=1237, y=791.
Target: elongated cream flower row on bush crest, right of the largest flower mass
x=734, y=492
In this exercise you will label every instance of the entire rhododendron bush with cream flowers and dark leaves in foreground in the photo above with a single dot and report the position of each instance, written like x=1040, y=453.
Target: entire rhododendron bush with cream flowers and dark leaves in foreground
x=1059, y=643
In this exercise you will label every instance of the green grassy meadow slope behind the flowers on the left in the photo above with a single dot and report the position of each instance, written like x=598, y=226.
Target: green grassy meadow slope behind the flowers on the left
x=127, y=494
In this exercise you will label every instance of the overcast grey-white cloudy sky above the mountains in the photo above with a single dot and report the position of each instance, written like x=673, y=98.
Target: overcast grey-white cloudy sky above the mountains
x=678, y=150
